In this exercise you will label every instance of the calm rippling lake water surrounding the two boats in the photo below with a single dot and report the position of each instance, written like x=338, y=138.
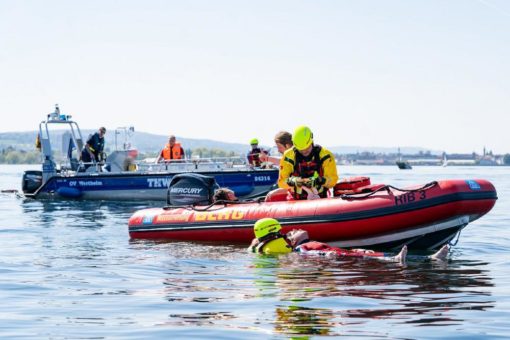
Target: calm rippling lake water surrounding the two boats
x=69, y=270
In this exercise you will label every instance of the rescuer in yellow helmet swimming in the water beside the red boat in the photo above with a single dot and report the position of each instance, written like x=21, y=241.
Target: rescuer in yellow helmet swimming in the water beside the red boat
x=268, y=238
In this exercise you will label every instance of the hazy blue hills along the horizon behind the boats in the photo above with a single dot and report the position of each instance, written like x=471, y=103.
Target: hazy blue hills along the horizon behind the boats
x=148, y=143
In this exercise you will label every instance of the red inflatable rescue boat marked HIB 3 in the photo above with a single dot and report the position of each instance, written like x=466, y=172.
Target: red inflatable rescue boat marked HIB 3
x=360, y=215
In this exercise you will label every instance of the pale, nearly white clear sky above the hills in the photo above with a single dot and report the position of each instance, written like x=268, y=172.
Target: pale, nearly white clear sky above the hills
x=373, y=73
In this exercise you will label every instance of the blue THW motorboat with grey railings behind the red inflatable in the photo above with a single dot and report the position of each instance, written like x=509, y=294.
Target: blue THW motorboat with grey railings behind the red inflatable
x=121, y=176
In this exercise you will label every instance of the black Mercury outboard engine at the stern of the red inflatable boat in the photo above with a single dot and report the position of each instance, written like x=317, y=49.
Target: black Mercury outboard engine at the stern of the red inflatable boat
x=191, y=189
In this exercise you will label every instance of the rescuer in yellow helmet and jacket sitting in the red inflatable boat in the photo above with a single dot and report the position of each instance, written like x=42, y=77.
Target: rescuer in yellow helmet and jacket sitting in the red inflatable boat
x=307, y=167
